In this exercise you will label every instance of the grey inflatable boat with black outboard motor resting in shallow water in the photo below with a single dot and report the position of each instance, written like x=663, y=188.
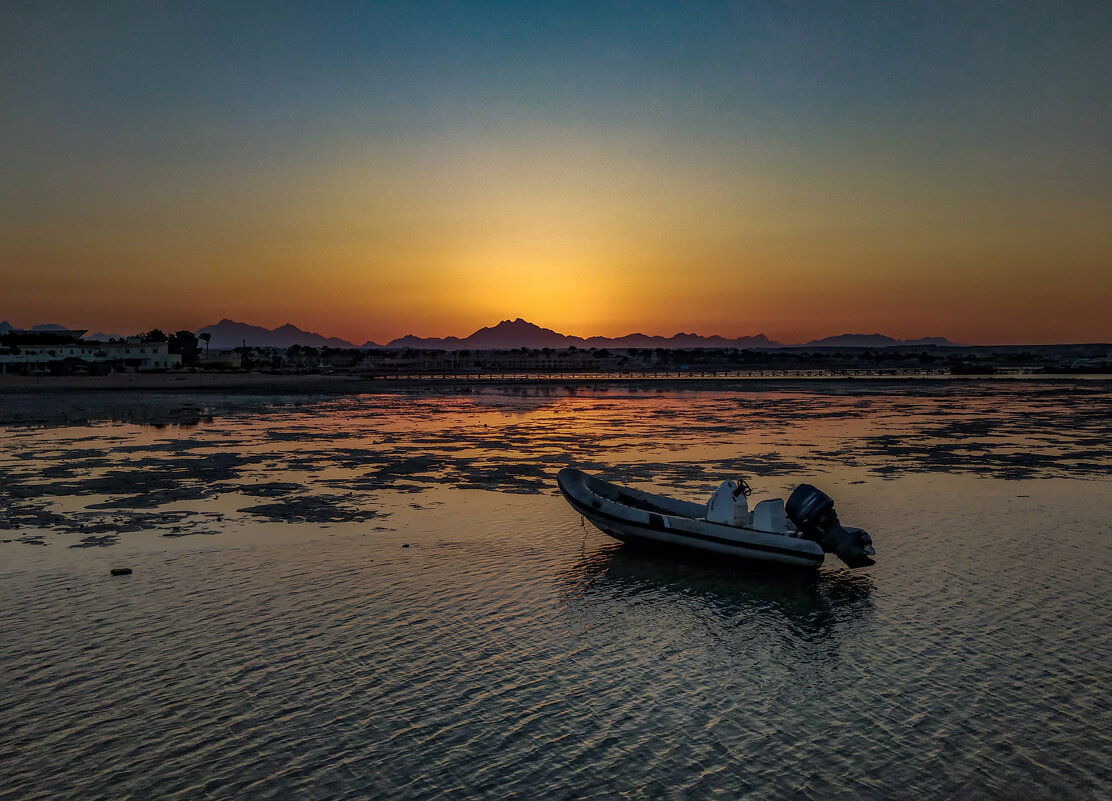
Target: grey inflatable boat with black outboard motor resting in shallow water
x=799, y=533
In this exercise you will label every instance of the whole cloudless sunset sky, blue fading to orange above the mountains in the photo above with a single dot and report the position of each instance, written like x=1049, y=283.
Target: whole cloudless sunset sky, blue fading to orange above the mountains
x=369, y=171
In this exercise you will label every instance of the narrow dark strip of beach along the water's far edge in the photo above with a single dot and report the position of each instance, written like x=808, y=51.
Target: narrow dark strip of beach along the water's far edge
x=260, y=383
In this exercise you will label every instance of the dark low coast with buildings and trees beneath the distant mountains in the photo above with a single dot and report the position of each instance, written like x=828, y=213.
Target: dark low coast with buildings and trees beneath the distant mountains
x=62, y=353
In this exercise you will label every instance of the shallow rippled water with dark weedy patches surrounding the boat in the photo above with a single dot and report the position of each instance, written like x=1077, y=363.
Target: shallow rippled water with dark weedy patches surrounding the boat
x=383, y=597
